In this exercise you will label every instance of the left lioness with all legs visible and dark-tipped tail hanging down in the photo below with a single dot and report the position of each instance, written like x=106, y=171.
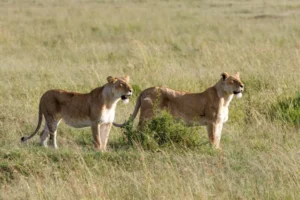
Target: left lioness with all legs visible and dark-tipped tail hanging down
x=95, y=109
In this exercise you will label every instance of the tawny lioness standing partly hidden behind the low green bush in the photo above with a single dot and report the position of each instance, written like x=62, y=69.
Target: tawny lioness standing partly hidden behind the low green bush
x=208, y=108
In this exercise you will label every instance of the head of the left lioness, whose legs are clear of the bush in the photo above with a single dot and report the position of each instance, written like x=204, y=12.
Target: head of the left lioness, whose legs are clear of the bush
x=121, y=87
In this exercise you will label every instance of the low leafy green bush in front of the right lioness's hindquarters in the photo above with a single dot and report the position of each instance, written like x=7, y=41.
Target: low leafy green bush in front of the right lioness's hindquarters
x=161, y=132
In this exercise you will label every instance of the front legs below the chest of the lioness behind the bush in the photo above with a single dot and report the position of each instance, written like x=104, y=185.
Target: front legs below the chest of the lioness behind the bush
x=214, y=131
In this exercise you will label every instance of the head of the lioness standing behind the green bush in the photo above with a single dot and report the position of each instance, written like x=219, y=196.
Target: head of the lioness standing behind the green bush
x=232, y=84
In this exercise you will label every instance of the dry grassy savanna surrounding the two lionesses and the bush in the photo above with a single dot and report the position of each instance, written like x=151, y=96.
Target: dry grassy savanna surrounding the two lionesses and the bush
x=74, y=45
